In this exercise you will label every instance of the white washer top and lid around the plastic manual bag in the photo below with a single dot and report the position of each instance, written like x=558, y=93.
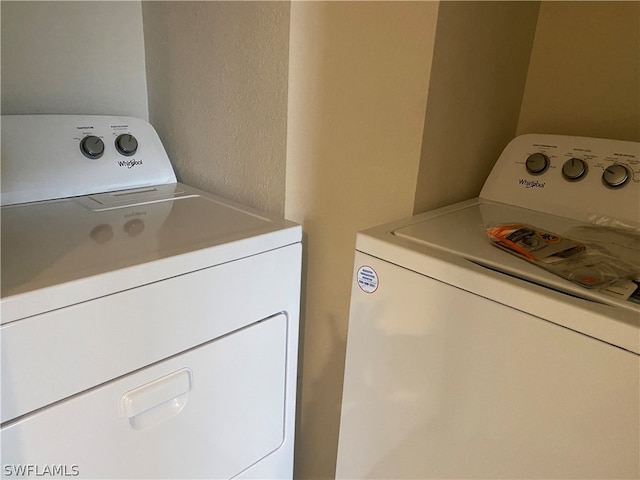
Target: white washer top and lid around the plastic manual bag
x=450, y=245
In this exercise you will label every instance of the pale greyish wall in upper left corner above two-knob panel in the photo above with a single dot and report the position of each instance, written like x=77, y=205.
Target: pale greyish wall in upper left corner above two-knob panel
x=73, y=57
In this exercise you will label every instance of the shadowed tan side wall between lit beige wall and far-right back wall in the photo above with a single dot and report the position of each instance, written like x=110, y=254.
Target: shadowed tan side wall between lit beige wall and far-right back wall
x=480, y=64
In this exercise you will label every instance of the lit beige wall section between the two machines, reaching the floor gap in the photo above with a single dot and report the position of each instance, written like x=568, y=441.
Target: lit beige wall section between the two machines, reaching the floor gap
x=358, y=76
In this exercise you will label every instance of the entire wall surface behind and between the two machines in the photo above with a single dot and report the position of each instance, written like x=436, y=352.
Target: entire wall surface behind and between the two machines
x=340, y=115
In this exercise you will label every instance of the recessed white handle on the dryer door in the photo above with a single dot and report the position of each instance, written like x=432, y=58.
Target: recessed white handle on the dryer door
x=158, y=400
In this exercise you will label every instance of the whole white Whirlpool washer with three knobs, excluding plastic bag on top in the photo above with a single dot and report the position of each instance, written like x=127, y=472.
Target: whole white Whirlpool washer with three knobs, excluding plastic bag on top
x=465, y=361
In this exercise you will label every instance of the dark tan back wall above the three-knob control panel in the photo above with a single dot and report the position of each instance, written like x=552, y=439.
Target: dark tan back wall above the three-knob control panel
x=585, y=71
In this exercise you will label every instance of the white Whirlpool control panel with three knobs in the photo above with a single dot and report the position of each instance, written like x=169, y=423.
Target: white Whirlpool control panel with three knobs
x=576, y=177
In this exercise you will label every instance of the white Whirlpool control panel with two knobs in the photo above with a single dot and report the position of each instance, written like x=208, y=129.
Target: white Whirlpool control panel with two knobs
x=47, y=157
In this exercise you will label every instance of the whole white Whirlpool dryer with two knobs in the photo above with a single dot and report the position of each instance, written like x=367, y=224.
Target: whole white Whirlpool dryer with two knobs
x=149, y=329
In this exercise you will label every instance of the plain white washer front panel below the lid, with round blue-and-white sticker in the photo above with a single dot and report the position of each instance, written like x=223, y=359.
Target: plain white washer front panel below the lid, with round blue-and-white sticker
x=443, y=383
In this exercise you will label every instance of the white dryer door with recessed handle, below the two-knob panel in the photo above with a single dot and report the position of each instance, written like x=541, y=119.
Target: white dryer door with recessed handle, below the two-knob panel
x=210, y=412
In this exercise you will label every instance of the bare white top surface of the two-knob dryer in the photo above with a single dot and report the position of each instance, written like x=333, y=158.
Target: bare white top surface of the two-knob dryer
x=61, y=252
